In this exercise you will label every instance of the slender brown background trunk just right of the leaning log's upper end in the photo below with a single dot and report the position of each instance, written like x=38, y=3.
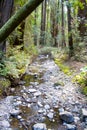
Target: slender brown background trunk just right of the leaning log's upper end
x=43, y=22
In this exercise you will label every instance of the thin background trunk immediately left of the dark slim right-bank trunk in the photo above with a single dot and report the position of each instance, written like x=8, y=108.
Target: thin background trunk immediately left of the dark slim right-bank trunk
x=63, y=32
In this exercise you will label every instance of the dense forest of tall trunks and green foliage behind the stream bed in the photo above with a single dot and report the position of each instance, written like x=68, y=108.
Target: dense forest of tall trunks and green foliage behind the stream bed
x=58, y=27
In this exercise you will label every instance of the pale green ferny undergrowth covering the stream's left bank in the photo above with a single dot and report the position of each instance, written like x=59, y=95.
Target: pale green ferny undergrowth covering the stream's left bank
x=16, y=61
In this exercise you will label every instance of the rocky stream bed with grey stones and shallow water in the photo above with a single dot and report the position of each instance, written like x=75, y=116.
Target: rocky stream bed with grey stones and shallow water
x=43, y=94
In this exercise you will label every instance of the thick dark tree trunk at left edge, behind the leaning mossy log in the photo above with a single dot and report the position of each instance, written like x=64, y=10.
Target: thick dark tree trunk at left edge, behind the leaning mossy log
x=5, y=13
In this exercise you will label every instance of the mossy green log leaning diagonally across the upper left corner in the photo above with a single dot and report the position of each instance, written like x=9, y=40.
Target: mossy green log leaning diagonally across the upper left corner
x=16, y=19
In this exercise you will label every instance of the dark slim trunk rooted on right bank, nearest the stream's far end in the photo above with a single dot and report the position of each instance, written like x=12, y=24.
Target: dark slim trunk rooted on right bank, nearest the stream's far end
x=70, y=39
